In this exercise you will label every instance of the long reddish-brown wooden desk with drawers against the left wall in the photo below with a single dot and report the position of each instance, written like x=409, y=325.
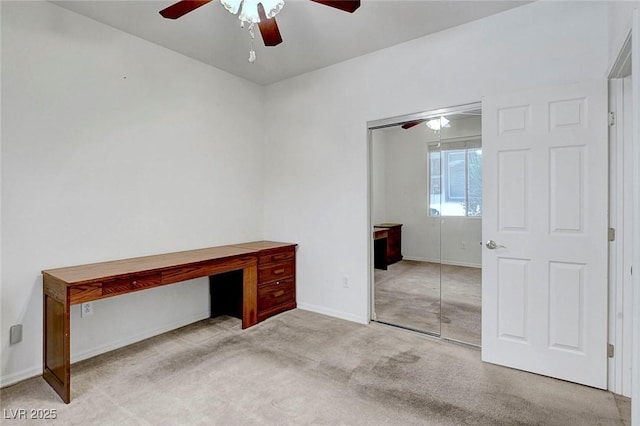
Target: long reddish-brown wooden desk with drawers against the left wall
x=64, y=287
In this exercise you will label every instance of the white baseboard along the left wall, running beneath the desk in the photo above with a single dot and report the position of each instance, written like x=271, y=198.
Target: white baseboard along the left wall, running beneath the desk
x=34, y=371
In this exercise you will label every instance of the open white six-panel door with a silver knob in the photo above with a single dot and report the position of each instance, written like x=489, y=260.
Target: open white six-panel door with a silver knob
x=544, y=285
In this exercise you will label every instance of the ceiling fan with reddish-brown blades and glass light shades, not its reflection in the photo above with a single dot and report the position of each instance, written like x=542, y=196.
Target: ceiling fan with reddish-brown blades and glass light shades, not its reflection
x=265, y=19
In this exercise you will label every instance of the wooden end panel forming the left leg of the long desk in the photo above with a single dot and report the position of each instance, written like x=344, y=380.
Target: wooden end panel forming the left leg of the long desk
x=56, y=332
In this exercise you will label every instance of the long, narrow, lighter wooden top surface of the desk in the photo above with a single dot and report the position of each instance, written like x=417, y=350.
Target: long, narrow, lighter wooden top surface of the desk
x=97, y=271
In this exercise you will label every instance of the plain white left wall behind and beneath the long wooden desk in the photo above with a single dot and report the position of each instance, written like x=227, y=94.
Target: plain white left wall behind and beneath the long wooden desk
x=114, y=147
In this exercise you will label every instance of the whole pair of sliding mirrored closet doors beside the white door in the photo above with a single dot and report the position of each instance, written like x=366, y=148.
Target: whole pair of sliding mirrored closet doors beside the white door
x=426, y=210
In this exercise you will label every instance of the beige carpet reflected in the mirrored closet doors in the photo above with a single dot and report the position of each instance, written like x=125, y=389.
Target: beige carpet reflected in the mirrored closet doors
x=444, y=300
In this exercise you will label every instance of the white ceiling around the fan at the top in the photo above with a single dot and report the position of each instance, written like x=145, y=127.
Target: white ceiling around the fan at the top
x=315, y=36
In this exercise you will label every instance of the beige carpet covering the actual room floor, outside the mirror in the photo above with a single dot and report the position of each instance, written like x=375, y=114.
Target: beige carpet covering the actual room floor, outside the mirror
x=303, y=368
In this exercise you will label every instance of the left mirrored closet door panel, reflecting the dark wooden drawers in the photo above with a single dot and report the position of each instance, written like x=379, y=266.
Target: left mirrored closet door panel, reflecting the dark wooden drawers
x=407, y=287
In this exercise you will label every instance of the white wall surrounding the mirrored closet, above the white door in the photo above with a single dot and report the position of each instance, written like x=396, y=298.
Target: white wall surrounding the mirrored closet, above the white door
x=316, y=193
